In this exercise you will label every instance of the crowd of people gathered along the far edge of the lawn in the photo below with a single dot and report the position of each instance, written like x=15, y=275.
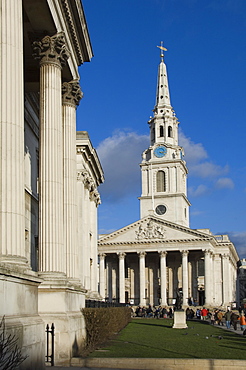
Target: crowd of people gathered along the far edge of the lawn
x=230, y=318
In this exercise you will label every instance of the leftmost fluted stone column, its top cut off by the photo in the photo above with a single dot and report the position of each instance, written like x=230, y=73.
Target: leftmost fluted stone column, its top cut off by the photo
x=12, y=202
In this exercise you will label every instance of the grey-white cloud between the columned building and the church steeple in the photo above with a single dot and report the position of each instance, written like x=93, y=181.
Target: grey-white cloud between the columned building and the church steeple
x=120, y=155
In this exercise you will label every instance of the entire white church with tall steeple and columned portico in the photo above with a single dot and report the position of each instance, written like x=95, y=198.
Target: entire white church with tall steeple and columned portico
x=154, y=259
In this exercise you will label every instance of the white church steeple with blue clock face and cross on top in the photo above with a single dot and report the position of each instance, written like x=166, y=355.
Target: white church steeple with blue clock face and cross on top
x=164, y=171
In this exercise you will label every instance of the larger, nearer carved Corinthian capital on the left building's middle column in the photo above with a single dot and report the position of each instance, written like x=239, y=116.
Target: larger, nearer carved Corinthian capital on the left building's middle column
x=51, y=49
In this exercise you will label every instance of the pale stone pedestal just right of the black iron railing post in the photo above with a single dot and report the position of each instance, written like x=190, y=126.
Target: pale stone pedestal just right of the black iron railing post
x=60, y=303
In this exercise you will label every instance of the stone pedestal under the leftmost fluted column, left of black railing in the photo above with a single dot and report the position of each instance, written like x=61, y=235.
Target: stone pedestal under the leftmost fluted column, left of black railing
x=19, y=305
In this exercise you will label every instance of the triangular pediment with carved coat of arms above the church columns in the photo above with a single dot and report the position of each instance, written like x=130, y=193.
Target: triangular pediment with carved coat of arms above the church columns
x=152, y=229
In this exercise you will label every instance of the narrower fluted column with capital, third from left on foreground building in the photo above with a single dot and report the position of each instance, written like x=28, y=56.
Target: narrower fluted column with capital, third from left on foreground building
x=71, y=96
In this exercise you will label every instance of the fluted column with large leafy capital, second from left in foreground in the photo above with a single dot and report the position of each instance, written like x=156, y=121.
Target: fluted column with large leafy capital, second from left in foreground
x=52, y=54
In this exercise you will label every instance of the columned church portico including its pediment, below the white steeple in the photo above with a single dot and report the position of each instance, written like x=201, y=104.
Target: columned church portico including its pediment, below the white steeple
x=153, y=270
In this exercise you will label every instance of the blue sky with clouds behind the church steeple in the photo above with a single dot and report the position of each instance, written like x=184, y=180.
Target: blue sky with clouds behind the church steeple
x=206, y=61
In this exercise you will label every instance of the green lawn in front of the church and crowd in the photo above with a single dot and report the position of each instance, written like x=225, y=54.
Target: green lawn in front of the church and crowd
x=152, y=338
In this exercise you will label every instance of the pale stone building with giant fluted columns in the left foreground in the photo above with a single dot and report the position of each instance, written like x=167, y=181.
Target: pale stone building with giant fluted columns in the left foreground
x=48, y=186
